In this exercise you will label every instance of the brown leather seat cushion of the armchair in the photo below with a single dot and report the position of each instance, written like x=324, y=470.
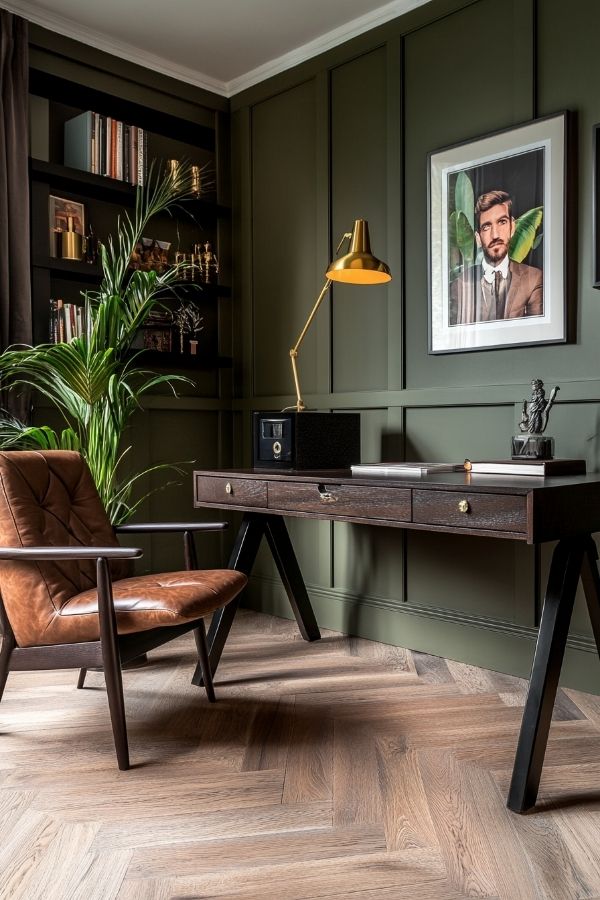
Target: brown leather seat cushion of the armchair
x=147, y=601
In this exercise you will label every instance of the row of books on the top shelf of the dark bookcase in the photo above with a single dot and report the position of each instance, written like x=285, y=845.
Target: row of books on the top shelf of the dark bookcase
x=104, y=146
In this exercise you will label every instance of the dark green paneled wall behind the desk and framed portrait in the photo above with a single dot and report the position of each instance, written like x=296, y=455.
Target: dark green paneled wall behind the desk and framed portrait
x=347, y=135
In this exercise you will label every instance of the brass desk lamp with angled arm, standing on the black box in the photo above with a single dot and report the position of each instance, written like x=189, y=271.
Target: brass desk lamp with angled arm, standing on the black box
x=358, y=266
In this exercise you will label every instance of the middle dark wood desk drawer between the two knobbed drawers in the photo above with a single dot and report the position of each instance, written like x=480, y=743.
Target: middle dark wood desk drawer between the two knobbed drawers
x=341, y=500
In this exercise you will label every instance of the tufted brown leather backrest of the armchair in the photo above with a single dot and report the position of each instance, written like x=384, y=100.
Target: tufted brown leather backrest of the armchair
x=48, y=498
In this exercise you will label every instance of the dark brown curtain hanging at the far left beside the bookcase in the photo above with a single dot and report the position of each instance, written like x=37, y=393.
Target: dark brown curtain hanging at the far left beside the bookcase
x=15, y=272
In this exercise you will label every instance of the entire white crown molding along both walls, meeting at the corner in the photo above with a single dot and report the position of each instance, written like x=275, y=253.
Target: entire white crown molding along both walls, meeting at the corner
x=69, y=28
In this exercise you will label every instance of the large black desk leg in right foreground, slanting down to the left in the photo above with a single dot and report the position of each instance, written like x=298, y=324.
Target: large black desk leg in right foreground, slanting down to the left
x=565, y=570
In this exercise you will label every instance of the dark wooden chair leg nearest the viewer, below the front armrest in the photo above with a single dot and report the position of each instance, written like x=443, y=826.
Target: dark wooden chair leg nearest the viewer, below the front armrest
x=112, y=663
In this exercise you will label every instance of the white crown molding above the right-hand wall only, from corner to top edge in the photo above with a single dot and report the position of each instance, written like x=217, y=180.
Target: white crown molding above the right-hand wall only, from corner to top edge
x=325, y=42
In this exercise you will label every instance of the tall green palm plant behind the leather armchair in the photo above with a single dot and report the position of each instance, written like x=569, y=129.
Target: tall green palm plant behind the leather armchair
x=95, y=381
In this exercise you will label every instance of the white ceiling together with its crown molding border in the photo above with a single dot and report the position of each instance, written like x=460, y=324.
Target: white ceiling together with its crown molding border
x=222, y=45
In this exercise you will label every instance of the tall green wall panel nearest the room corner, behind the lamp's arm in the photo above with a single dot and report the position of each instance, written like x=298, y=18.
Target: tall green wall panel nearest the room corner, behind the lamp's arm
x=284, y=206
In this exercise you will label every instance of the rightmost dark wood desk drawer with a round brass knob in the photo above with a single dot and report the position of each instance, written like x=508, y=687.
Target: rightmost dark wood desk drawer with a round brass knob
x=493, y=512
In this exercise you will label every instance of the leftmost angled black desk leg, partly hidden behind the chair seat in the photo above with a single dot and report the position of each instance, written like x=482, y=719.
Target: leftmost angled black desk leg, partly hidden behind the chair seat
x=242, y=558
